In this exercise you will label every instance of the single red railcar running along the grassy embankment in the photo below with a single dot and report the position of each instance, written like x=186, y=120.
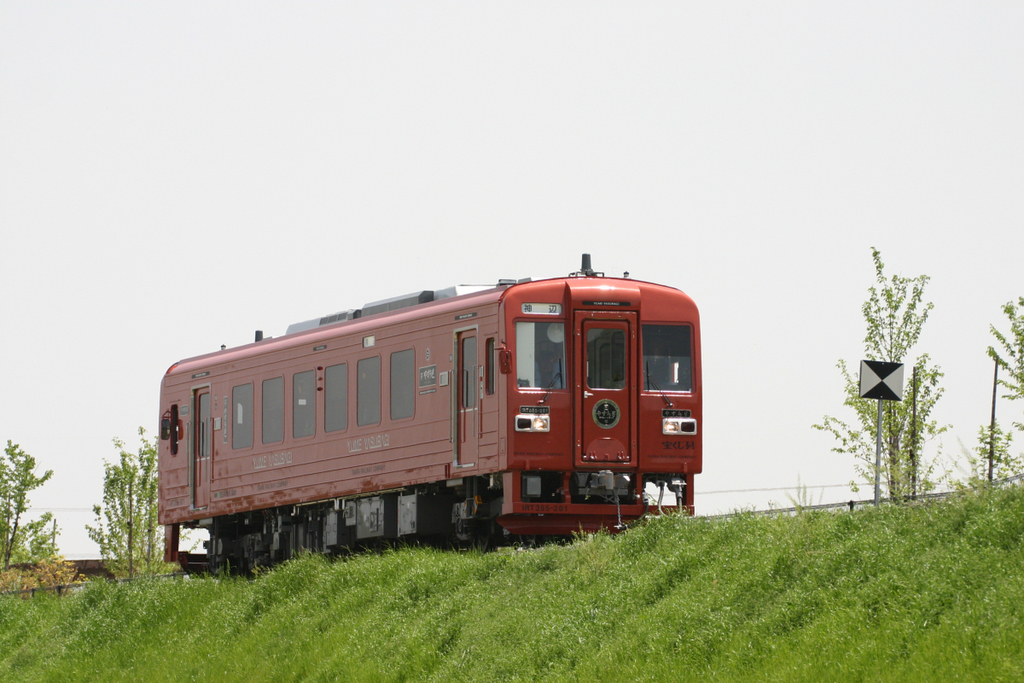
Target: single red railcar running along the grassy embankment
x=521, y=410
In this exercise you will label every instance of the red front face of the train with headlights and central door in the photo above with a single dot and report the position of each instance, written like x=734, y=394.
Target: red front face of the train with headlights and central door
x=604, y=404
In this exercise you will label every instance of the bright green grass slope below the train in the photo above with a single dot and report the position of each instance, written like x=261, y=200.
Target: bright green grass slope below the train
x=931, y=592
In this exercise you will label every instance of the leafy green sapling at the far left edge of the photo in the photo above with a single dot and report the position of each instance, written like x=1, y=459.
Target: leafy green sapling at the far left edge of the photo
x=22, y=541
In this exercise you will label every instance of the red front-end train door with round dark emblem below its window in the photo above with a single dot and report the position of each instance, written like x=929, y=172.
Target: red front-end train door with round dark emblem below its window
x=605, y=409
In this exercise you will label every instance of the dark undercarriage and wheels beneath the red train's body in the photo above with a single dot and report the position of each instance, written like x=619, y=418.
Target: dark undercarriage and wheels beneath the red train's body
x=462, y=514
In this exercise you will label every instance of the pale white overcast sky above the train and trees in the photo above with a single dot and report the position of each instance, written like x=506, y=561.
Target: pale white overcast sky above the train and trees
x=175, y=177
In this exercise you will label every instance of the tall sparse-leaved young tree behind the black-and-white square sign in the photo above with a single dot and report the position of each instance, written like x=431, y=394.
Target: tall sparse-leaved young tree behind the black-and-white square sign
x=895, y=315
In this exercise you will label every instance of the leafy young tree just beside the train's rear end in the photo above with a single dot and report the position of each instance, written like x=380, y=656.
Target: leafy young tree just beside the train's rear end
x=132, y=542
